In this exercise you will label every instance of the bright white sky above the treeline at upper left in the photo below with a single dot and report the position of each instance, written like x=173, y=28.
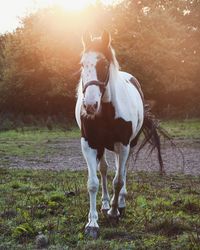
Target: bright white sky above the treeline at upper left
x=12, y=10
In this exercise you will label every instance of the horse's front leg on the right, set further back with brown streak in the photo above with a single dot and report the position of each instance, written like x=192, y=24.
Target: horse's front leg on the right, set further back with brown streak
x=121, y=156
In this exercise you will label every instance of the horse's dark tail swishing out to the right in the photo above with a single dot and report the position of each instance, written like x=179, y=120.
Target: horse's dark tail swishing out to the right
x=152, y=132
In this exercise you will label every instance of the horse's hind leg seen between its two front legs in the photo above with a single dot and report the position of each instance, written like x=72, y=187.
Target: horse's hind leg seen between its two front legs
x=103, y=166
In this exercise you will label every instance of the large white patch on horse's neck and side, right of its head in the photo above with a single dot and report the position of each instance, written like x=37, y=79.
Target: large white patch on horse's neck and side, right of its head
x=125, y=98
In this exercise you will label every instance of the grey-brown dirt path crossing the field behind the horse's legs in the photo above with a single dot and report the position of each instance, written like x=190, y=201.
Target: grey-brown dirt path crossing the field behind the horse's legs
x=67, y=155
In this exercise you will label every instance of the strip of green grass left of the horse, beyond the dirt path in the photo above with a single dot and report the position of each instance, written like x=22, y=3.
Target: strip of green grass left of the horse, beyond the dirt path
x=31, y=142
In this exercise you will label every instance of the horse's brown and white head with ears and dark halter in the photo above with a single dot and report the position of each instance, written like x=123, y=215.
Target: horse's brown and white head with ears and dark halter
x=95, y=61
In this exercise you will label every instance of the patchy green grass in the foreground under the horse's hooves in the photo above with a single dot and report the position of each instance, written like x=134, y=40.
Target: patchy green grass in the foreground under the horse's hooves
x=162, y=212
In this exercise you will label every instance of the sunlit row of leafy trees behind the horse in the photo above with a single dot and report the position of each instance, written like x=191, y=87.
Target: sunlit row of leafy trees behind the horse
x=157, y=41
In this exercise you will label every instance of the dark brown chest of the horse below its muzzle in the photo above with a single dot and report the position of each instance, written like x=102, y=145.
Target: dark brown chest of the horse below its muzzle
x=104, y=131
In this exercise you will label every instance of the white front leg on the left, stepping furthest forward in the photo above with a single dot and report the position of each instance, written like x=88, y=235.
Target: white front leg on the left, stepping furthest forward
x=90, y=155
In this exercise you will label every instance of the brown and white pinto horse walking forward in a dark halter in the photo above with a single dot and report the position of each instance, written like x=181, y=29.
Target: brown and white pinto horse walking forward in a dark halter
x=110, y=113
